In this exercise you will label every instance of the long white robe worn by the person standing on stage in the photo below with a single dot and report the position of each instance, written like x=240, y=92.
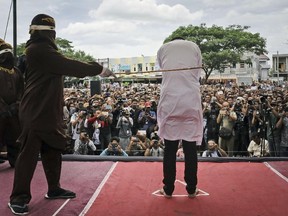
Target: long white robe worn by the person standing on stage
x=179, y=109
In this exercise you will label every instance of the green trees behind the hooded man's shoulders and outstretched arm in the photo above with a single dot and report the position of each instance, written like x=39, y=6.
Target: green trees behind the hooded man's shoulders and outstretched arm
x=65, y=48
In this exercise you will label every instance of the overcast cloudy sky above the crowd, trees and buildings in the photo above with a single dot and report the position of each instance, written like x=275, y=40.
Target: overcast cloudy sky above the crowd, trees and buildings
x=129, y=28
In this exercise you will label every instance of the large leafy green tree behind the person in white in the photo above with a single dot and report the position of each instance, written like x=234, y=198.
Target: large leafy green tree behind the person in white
x=221, y=46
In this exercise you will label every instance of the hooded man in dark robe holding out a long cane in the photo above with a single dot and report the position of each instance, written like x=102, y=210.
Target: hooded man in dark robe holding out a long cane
x=41, y=112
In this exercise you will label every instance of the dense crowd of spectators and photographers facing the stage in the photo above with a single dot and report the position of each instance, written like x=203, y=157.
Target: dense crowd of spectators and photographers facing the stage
x=129, y=111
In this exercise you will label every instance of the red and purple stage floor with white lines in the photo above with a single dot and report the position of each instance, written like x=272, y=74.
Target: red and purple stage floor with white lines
x=132, y=188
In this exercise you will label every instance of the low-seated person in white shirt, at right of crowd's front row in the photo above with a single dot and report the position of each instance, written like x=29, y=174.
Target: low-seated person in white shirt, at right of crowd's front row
x=258, y=147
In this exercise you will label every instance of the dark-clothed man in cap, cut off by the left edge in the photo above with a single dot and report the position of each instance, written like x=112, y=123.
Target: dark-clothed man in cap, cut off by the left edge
x=11, y=89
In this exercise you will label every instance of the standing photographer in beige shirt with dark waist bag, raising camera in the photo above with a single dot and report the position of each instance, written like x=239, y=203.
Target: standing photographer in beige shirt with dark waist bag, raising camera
x=226, y=119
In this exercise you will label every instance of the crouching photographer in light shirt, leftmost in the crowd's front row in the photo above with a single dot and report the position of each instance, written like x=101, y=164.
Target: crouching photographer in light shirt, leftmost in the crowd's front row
x=83, y=145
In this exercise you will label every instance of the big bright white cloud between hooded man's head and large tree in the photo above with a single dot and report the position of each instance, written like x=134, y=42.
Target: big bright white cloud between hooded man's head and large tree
x=133, y=24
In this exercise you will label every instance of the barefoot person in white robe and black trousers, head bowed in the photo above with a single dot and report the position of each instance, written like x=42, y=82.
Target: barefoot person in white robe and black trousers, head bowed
x=179, y=110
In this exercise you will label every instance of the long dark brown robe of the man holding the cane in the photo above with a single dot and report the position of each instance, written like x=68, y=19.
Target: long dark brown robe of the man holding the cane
x=41, y=108
